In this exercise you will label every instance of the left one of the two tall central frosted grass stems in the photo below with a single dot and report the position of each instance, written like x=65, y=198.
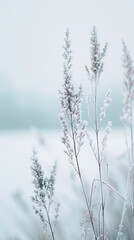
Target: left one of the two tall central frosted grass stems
x=70, y=118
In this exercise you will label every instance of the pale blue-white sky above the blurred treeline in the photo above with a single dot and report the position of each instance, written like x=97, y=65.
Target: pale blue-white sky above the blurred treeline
x=32, y=32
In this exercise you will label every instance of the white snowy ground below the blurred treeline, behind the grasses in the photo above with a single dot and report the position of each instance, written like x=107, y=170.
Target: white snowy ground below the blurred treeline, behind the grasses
x=15, y=180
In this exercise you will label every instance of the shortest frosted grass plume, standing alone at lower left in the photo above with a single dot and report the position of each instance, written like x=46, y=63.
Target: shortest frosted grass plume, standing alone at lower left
x=44, y=196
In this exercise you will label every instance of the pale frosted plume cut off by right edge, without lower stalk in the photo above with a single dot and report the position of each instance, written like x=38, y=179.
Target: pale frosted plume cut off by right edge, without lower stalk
x=128, y=106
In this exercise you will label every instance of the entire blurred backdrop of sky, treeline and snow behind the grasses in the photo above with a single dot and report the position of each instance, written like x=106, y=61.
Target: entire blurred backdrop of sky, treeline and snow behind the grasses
x=31, y=73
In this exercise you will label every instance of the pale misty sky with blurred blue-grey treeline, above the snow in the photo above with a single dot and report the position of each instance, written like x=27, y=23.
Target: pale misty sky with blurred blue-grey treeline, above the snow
x=31, y=62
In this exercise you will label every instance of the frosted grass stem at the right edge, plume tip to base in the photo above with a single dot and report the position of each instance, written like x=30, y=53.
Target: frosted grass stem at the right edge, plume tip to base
x=128, y=120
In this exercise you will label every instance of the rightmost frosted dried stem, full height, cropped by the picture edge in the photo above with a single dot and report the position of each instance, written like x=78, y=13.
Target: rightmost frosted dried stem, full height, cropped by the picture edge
x=128, y=91
